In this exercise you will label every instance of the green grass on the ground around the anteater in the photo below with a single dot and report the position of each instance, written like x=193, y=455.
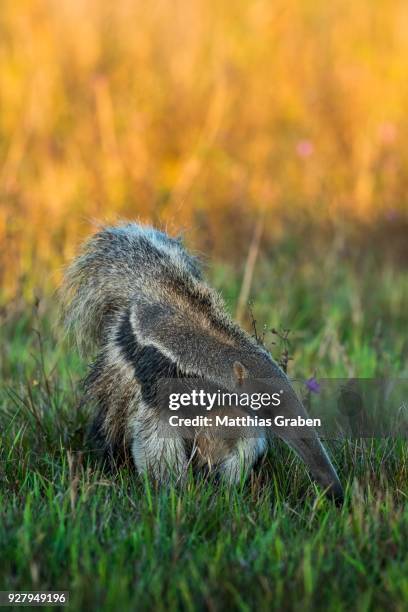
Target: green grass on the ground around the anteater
x=116, y=542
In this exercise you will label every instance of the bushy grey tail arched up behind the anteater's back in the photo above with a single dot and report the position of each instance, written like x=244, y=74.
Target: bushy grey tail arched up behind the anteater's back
x=112, y=266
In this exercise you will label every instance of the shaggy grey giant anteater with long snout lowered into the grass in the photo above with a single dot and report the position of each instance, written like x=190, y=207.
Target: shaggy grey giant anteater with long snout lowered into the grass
x=136, y=298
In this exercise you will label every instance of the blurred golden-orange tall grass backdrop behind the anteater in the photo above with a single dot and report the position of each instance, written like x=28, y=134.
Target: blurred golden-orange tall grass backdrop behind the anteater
x=200, y=115
